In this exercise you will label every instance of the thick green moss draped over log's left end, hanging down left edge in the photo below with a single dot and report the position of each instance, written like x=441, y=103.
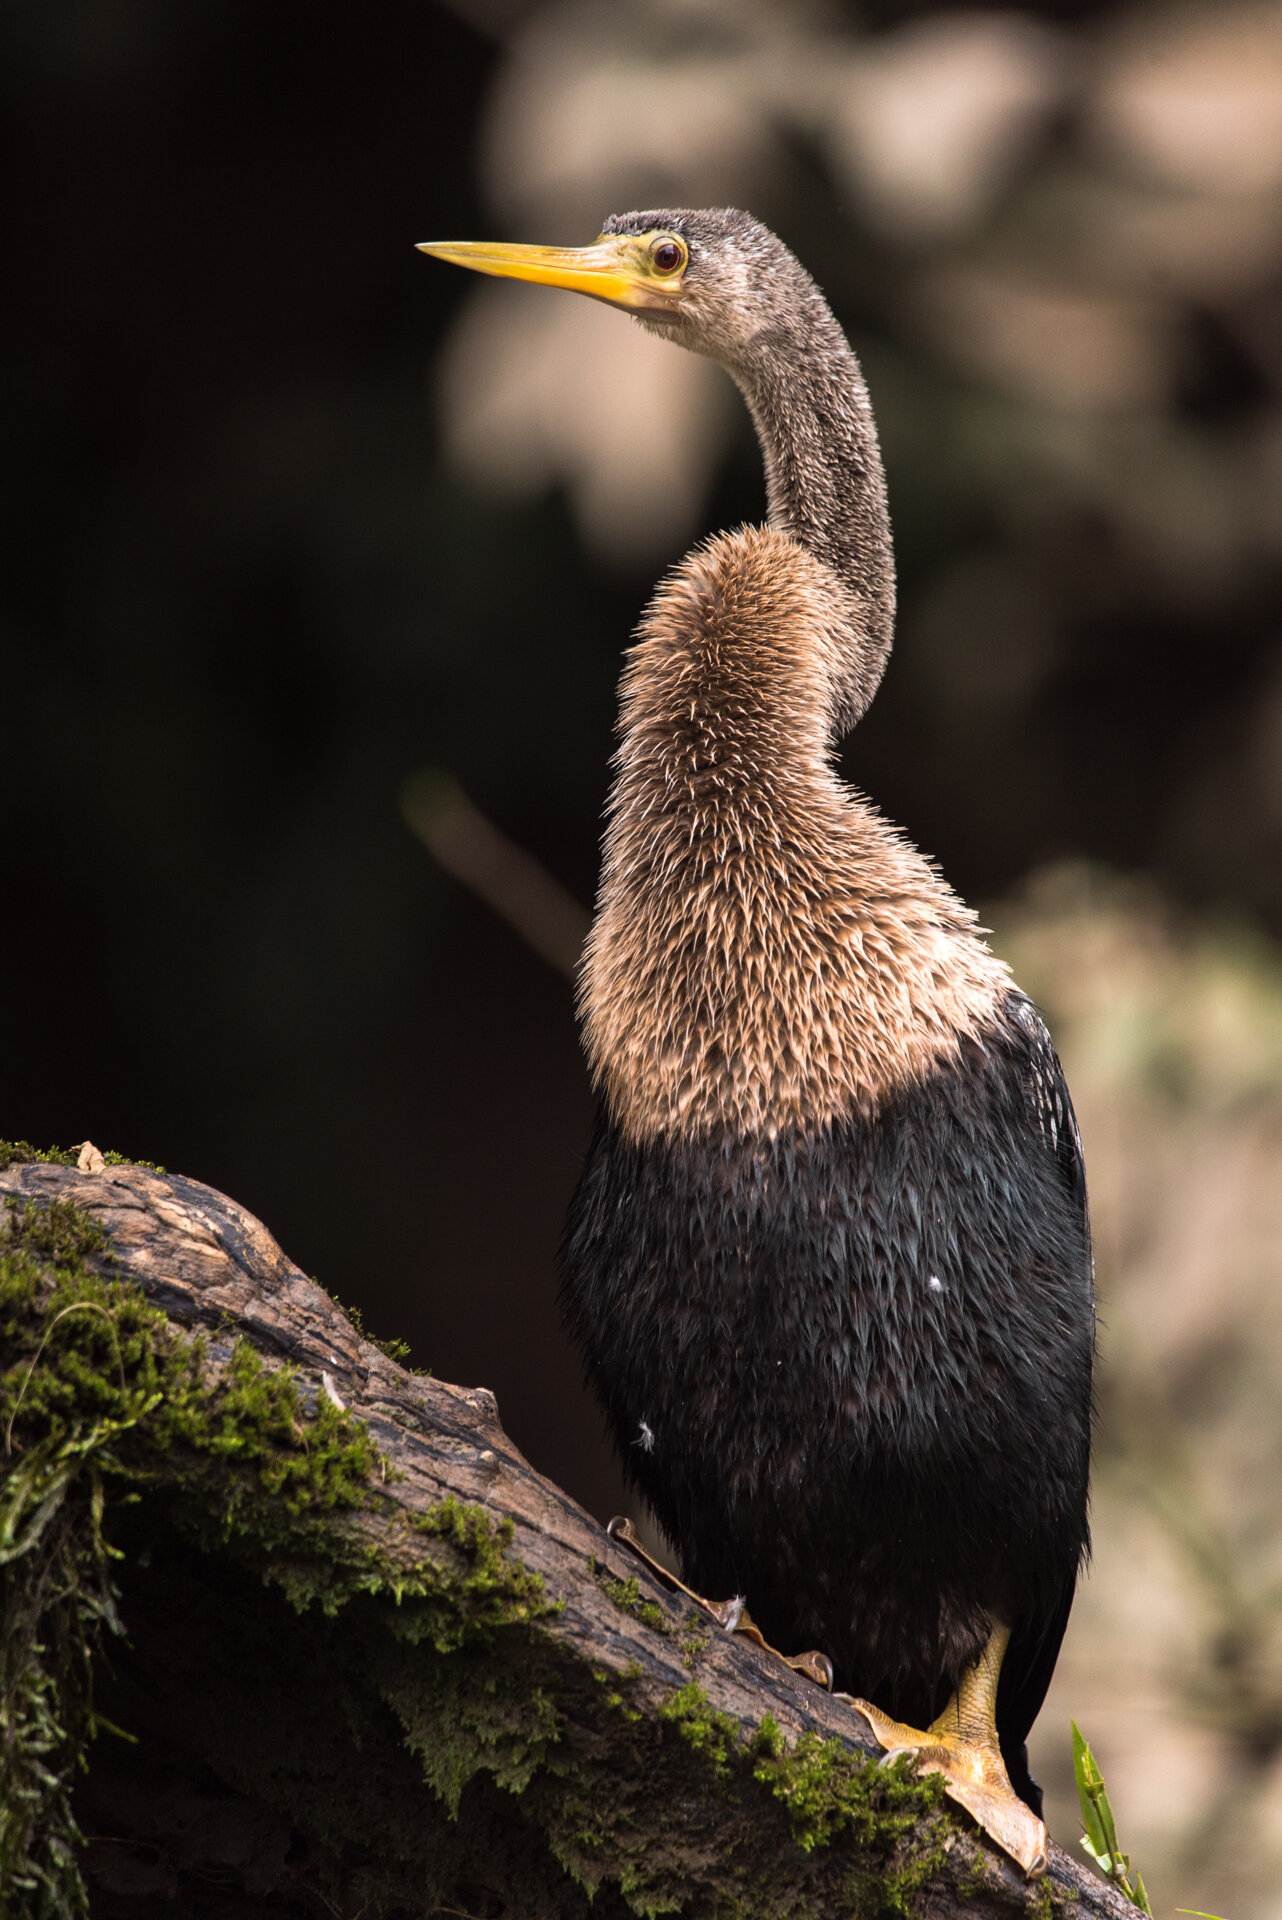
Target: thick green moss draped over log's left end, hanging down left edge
x=101, y=1393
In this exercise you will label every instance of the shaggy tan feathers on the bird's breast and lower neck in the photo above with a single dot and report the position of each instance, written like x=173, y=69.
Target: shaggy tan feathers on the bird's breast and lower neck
x=769, y=953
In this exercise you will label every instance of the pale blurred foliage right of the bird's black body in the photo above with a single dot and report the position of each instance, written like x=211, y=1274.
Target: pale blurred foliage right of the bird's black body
x=1170, y=1032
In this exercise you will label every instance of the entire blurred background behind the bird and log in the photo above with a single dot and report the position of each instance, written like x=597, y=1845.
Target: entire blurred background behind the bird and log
x=297, y=517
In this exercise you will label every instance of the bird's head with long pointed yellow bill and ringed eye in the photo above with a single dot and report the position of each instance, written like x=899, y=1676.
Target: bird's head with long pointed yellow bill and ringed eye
x=717, y=281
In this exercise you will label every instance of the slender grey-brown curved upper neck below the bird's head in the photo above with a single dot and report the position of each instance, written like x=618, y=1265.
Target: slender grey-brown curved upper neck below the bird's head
x=824, y=477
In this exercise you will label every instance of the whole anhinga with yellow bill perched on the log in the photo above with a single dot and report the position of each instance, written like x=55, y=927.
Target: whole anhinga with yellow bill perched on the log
x=828, y=1260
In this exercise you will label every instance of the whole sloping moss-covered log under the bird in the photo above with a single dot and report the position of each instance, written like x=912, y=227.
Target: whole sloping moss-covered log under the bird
x=297, y=1631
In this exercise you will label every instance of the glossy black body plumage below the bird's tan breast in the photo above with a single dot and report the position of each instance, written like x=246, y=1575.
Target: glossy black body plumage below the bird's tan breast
x=851, y=1370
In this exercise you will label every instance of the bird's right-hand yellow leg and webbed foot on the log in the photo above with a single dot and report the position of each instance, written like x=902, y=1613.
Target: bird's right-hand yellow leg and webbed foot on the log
x=964, y=1748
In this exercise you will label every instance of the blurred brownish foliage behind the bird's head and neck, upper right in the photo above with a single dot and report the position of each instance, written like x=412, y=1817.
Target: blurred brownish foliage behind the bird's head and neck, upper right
x=1058, y=249
